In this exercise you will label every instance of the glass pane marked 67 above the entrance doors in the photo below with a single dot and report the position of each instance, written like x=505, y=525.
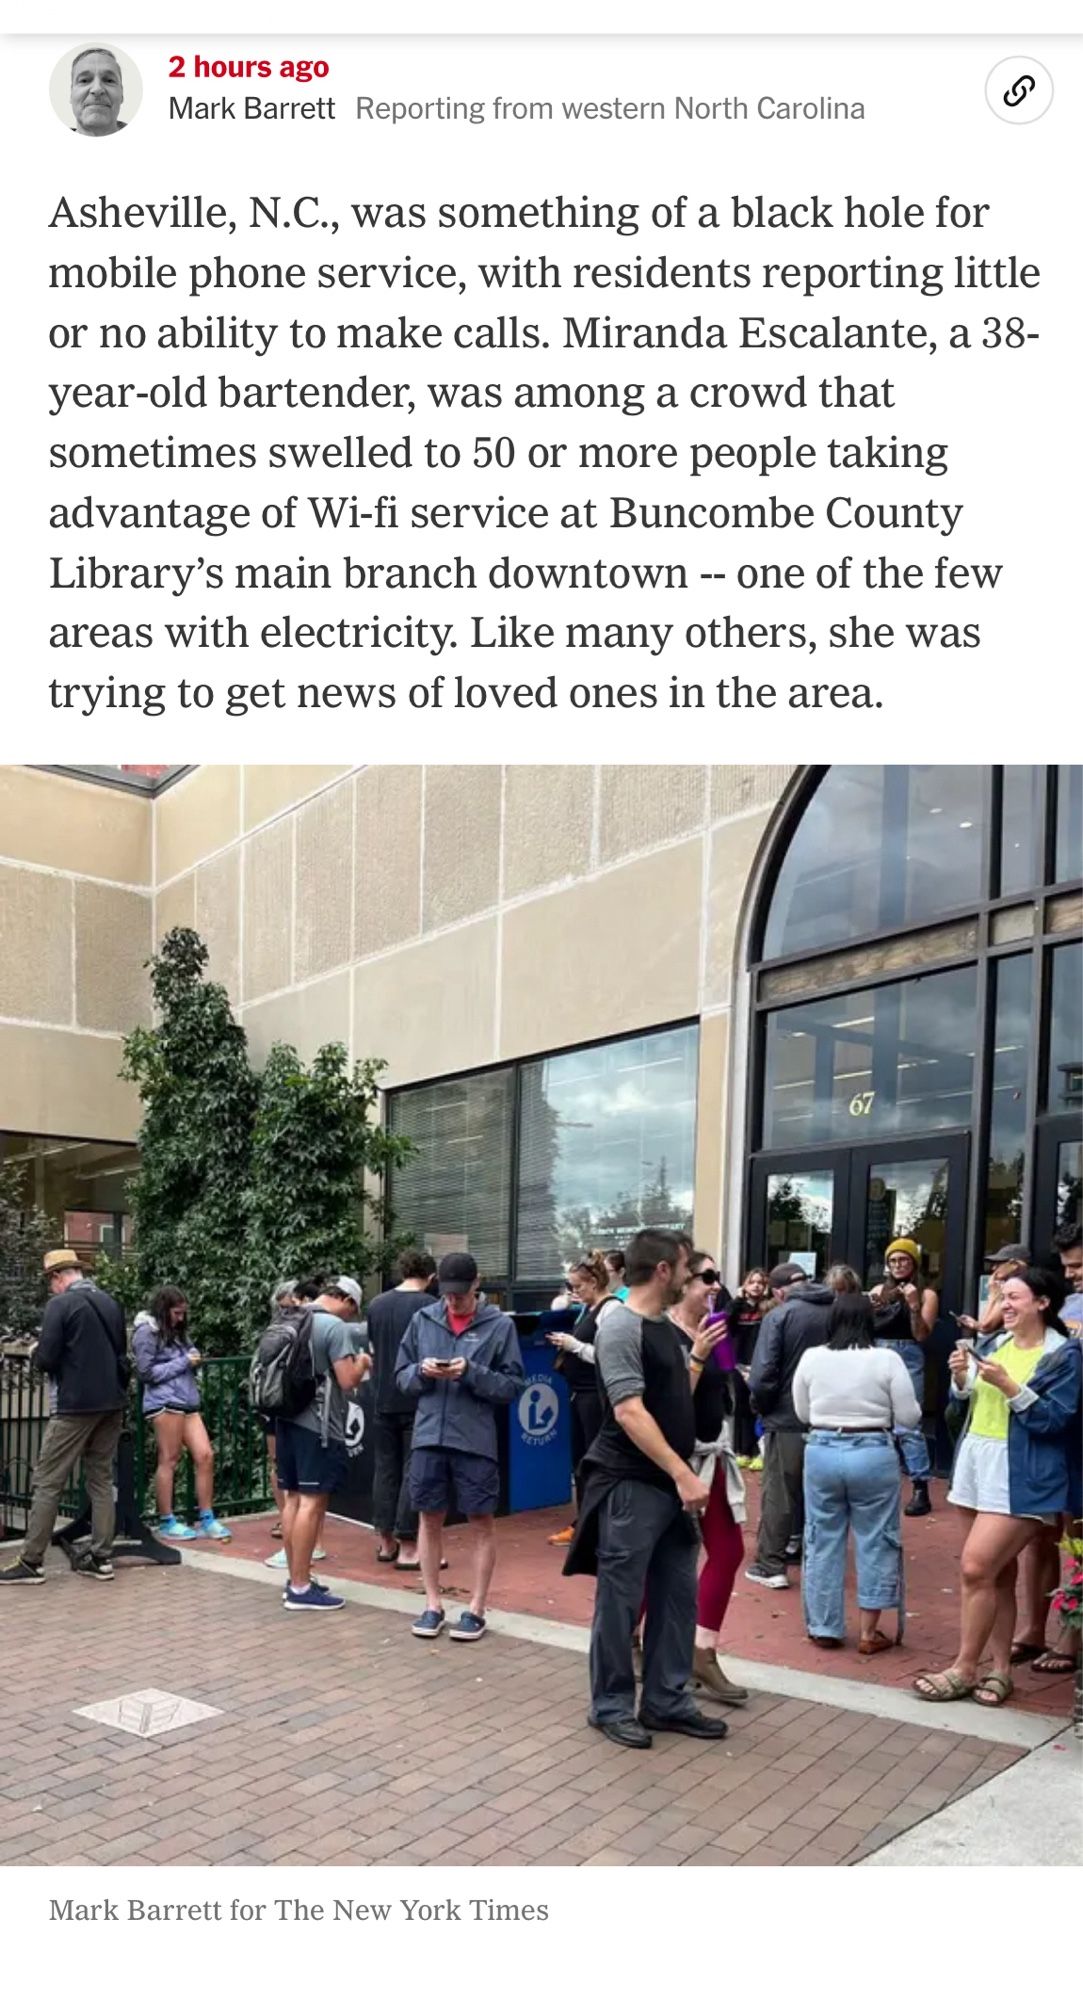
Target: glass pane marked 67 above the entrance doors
x=892, y=1059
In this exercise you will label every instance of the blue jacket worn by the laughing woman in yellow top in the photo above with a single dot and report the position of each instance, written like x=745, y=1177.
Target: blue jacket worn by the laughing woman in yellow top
x=1044, y=1443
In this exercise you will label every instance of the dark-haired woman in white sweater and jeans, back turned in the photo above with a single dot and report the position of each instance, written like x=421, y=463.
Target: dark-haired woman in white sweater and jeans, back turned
x=852, y=1395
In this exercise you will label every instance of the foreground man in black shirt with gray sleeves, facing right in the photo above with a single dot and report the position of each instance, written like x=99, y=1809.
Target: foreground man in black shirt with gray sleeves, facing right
x=640, y=1507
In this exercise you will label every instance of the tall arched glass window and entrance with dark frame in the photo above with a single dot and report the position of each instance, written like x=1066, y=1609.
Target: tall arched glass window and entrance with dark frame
x=918, y=983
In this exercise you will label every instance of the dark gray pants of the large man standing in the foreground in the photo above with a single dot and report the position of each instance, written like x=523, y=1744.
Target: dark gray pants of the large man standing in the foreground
x=646, y=1549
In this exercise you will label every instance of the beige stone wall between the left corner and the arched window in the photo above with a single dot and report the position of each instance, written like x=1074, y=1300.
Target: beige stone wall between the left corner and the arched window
x=451, y=919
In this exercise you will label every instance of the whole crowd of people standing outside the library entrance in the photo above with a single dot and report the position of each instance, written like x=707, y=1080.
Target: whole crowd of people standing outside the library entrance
x=678, y=1391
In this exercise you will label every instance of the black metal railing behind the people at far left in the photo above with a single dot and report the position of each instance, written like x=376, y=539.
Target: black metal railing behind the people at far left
x=241, y=1457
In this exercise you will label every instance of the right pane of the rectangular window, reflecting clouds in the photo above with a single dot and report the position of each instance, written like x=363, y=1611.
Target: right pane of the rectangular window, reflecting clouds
x=606, y=1147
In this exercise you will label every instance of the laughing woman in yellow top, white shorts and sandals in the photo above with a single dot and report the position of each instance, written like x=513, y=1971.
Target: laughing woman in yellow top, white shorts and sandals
x=1018, y=1467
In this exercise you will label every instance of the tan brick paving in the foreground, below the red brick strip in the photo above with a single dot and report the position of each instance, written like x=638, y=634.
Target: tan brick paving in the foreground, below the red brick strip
x=355, y=1743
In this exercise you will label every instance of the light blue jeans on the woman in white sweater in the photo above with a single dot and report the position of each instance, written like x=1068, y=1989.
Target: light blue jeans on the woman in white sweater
x=850, y=1483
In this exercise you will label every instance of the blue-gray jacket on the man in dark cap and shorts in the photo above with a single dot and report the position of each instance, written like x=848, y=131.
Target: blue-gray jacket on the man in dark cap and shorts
x=461, y=1417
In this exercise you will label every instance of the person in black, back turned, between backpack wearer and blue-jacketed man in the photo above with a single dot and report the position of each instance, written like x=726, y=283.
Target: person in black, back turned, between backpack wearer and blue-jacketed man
x=393, y=1433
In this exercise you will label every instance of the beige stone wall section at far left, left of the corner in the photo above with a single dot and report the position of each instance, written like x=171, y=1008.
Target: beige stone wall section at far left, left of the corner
x=75, y=935
